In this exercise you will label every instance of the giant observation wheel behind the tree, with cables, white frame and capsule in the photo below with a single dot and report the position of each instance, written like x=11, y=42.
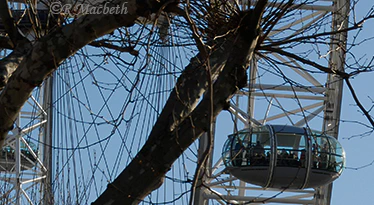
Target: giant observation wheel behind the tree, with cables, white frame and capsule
x=302, y=103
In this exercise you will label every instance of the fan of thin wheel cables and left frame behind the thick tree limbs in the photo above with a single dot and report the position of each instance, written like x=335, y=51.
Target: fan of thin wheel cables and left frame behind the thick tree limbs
x=90, y=119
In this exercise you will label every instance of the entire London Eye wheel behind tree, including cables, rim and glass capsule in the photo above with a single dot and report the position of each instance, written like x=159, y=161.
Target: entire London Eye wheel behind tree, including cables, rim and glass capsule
x=87, y=121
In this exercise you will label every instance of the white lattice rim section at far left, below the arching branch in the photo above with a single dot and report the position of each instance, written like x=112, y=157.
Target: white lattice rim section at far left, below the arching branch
x=25, y=168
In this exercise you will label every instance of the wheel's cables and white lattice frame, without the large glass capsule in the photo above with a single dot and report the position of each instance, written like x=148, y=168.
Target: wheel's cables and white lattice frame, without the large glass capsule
x=91, y=123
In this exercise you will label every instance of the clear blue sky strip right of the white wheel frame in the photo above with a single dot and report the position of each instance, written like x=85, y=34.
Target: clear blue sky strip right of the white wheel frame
x=355, y=186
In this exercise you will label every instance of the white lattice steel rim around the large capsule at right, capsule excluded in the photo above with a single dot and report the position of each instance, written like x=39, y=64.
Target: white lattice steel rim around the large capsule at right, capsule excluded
x=284, y=91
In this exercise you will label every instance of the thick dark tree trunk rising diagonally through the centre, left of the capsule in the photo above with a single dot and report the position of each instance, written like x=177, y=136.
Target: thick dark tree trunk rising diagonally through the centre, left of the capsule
x=146, y=171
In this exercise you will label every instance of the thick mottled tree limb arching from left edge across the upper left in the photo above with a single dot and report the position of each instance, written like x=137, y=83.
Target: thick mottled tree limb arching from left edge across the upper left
x=50, y=51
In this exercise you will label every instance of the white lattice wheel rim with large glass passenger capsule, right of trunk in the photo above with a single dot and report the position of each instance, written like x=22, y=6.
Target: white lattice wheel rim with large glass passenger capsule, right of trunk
x=265, y=161
